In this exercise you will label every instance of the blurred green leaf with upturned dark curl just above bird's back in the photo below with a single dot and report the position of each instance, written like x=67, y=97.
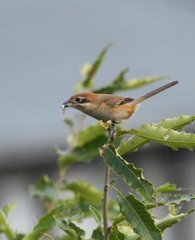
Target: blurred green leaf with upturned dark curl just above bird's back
x=121, y=84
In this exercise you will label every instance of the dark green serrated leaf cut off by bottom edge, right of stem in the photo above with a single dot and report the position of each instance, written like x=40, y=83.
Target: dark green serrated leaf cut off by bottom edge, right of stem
x=140, y=220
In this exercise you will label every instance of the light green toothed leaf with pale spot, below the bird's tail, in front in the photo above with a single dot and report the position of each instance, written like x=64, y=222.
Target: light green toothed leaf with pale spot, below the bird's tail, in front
x=165, y=136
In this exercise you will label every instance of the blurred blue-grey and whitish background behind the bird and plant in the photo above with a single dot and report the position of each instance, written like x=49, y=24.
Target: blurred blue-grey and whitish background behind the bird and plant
x=44, y=44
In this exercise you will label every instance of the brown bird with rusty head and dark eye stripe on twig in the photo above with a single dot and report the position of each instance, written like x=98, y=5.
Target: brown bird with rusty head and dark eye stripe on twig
x=109, y=107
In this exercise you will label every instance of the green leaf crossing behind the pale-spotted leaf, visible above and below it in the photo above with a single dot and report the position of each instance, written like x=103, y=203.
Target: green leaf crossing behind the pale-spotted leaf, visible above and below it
x=134, y=142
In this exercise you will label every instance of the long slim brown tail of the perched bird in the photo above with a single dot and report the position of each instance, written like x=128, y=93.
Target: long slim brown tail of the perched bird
x=152, y=93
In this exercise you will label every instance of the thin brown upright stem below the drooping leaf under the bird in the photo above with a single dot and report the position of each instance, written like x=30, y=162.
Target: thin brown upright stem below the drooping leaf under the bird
x=105, y=199
